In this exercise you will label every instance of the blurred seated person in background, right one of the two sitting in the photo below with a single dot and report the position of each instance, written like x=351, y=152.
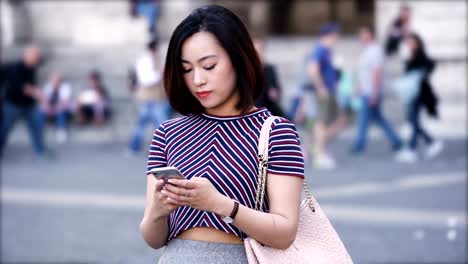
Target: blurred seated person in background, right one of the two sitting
x=93, y=104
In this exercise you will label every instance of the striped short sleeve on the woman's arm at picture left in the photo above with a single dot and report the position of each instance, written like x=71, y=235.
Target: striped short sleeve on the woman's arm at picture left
x=157, y=154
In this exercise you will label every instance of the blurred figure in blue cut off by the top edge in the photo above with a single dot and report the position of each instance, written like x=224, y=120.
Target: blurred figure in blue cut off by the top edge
x=150, y=9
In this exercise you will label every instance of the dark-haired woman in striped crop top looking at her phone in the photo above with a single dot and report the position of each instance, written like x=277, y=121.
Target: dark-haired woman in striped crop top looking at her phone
x=213, y=76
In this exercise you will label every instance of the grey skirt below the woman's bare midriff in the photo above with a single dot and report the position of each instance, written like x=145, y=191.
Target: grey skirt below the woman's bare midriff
x=189, y=251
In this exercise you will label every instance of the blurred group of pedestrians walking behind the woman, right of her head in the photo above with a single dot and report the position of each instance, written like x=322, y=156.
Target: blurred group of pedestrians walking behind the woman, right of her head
x=330, y=95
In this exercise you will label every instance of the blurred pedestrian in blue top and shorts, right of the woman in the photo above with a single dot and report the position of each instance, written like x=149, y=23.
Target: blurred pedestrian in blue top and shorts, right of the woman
x=331, y=119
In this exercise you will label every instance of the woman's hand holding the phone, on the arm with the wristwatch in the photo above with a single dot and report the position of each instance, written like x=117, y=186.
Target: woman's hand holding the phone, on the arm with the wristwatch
x=198, y=193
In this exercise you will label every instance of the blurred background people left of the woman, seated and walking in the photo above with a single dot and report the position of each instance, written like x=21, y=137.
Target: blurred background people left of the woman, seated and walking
x=23, y=98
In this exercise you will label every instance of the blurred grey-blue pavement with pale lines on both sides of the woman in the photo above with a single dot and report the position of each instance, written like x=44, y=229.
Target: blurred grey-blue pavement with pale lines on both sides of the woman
x=85, y=204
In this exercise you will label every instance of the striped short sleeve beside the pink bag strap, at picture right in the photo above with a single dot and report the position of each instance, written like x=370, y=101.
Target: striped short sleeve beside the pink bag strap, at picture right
x=285, y=154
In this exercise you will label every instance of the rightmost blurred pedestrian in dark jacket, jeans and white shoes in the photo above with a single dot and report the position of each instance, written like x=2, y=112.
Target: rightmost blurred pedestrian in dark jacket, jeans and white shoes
x=425, y=99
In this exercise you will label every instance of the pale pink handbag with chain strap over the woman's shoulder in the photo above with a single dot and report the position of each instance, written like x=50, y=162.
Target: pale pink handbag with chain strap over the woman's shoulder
x=316, y=239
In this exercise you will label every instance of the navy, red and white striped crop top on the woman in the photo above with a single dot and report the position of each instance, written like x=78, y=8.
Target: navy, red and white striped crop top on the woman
x=223, y=150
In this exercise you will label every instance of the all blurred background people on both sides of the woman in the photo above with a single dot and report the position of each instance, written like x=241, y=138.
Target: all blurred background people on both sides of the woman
x=329, y=98
